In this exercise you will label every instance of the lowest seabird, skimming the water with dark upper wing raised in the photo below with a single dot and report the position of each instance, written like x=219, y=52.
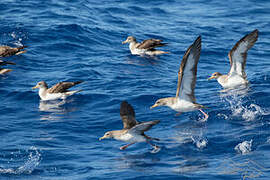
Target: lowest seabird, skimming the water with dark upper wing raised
x=133, y=131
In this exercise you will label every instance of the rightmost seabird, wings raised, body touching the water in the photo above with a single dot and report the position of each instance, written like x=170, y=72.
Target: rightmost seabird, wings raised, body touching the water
x=237, y=56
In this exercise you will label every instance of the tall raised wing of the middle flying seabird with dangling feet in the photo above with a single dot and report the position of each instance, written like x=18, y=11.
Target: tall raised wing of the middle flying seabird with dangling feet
x=188, y=71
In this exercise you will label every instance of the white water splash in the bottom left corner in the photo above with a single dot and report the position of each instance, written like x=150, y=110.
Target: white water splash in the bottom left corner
x=28, y=167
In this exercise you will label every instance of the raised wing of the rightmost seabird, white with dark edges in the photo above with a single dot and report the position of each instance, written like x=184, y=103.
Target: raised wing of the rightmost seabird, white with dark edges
x=238, y=54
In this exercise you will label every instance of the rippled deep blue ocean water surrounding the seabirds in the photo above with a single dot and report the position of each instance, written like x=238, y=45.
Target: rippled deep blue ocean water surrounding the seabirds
x=81, y=40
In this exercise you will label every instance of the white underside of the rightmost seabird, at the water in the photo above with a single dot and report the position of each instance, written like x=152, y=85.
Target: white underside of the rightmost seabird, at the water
x=233, y=81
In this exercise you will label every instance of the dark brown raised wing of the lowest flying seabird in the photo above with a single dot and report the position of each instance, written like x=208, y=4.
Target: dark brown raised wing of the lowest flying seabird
x=127, y=114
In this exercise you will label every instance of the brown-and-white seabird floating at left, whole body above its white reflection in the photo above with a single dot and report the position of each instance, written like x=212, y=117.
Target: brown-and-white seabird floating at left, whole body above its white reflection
x=58, y=91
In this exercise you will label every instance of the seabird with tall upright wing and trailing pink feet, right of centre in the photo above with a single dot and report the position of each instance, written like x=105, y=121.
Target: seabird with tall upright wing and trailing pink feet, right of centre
x=185, y=101
